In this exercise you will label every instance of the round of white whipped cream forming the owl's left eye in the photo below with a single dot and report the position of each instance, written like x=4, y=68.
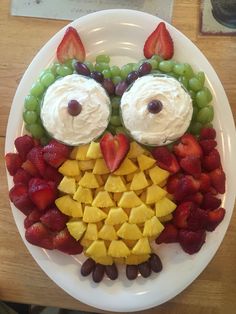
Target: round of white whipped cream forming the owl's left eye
x=89, y=123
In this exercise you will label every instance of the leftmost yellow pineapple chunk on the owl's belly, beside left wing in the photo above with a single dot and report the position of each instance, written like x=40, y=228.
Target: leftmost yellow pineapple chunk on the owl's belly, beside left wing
x=67, y=205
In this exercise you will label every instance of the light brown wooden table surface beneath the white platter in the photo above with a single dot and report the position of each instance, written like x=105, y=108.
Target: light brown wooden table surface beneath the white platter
x=21, y=280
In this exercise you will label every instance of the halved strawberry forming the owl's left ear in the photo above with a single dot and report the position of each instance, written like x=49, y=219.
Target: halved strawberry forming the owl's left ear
x=71, y=47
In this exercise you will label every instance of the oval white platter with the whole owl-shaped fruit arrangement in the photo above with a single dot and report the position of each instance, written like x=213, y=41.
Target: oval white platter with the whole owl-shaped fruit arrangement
x=119, y=160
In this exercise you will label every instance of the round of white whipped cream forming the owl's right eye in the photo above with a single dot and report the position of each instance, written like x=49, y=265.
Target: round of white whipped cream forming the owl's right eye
x=165, y=126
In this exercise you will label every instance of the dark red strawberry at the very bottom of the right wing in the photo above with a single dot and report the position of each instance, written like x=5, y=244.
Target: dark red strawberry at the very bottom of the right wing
x=191, y=241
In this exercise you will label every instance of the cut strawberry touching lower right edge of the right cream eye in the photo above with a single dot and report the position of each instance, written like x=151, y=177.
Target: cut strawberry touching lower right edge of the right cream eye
x=188, y=146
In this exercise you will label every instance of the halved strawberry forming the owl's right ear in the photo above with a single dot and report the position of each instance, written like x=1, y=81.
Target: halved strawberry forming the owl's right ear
x=159, y=42
